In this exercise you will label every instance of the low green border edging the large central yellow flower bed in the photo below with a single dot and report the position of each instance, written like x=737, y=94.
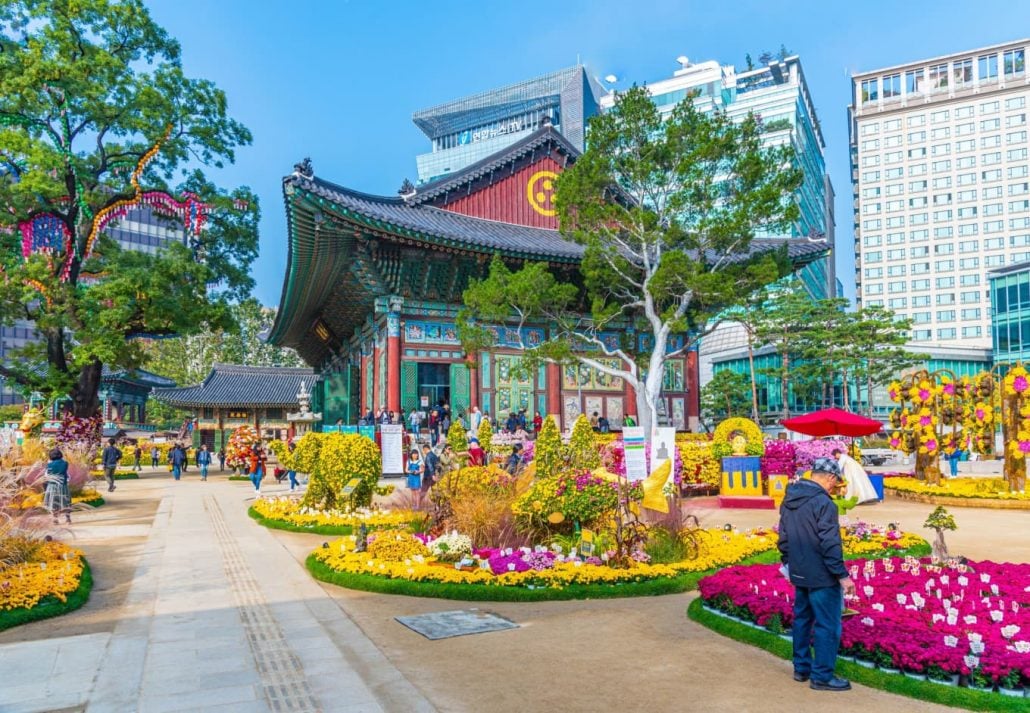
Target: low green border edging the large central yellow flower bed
x=492, y=593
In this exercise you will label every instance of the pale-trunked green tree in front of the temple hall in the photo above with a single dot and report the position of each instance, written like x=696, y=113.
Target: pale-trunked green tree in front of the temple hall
x=666, y=210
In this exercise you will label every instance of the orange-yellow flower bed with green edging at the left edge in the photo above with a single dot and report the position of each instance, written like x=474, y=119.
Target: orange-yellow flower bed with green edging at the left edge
x=56, y=581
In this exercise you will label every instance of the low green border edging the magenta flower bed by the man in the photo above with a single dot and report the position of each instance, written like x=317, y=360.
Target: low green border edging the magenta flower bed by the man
x=894, y=684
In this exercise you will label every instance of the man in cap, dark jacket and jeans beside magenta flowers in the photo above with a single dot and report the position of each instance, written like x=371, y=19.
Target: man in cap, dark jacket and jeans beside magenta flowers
x=811, y=550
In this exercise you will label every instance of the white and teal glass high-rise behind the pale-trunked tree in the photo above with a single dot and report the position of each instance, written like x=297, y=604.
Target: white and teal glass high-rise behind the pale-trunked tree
x=779, y=95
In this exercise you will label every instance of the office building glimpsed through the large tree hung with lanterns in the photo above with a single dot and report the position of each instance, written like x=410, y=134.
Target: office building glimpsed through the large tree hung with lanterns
x=142, y=230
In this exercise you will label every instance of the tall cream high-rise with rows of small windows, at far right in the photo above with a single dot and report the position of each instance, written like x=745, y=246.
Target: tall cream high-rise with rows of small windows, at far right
x=942, y=185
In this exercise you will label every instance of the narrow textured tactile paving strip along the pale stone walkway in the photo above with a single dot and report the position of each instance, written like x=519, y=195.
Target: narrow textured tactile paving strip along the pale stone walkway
x=284, y=683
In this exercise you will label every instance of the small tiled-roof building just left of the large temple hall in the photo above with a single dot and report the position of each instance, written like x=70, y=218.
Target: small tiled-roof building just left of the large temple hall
x=234, y=395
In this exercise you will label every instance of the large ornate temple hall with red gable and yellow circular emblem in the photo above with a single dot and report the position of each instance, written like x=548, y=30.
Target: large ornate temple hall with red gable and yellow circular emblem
x=373, y=286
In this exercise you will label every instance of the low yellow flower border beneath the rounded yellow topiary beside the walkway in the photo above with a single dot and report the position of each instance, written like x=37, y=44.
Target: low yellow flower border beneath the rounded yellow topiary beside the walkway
x=288, y=514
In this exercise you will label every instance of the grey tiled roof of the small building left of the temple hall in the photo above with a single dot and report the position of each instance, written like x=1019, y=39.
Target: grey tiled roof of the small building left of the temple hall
x=233, y=385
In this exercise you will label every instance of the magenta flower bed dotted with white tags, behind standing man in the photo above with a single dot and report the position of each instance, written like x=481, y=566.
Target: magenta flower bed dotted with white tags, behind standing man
x=972, y=620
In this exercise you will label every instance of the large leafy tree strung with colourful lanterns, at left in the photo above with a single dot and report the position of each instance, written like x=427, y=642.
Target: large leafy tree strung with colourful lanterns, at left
x=87, y=90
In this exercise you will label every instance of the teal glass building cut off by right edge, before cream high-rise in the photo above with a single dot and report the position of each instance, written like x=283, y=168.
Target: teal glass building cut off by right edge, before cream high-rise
x=1010, y=295
